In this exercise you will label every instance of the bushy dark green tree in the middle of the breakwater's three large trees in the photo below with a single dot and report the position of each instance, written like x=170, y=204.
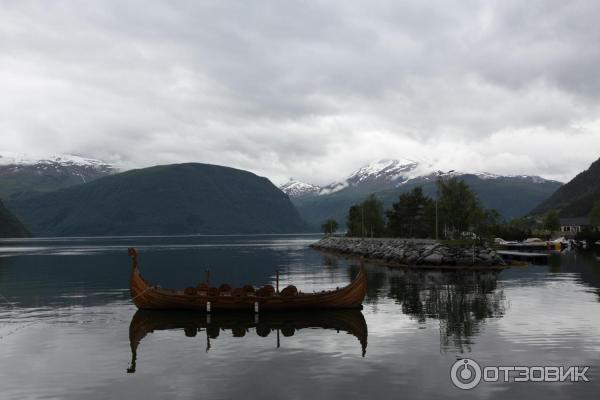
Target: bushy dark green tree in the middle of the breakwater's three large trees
x=413, y=215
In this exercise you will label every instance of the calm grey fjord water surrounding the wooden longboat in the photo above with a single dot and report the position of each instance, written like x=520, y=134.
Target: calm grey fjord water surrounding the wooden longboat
x=65, y=318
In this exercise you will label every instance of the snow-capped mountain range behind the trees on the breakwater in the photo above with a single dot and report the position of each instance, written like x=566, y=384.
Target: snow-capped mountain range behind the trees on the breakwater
x=511, y=195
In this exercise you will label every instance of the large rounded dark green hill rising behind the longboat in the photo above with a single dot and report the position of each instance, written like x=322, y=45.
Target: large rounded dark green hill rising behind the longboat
x=169, y=199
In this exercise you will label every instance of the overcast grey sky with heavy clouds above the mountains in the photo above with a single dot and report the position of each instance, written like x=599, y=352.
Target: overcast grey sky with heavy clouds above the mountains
x=309, y=90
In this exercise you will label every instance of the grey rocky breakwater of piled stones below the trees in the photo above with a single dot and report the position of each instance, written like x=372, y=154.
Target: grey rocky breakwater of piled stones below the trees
x=411, y=252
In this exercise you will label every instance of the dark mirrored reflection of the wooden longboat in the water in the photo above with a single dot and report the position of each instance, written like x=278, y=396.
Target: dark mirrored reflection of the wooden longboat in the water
x=280, y=323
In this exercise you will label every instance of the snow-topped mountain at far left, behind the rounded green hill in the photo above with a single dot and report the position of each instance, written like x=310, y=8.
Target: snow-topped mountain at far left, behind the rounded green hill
x=26, y=174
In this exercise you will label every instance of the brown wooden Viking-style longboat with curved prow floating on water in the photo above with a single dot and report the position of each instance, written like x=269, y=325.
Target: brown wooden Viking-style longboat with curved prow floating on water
x=146, y=296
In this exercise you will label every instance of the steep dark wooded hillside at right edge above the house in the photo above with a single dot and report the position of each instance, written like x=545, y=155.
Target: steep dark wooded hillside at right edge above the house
x=576, y=198
